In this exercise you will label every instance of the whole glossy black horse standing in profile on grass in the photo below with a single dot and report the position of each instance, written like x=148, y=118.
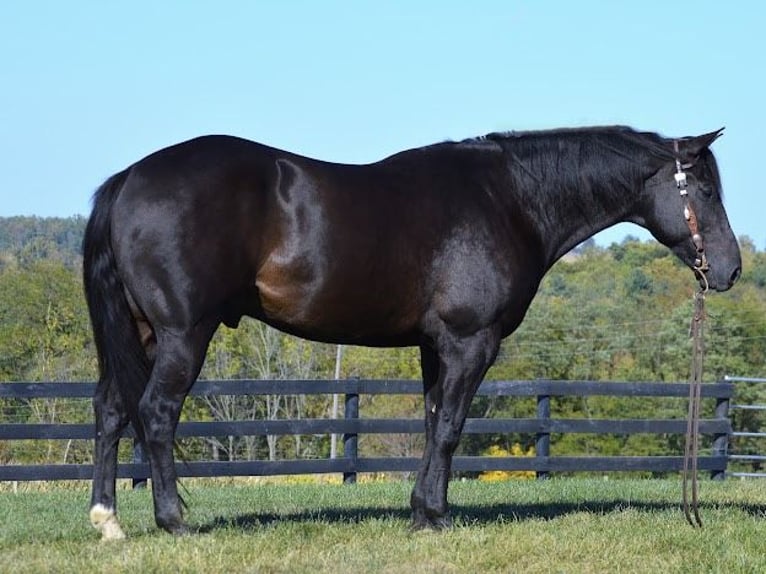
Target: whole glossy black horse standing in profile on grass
x=442, y=247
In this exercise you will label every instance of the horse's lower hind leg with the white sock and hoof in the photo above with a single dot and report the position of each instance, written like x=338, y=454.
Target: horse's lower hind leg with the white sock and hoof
x=111, y=419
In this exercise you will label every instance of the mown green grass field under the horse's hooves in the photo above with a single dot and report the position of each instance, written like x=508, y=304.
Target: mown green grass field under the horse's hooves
x=565, y=525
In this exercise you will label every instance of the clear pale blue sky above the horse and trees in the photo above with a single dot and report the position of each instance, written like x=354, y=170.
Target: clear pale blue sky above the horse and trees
x=86, y=88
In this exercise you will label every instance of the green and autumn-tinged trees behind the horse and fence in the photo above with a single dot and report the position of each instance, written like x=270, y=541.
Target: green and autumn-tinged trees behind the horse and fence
x=619, y=312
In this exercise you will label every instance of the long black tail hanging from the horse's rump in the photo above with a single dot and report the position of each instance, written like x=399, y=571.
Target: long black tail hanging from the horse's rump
x=121, y=357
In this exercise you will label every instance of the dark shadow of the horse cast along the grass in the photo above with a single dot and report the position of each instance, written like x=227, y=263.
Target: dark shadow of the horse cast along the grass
x=465, y=514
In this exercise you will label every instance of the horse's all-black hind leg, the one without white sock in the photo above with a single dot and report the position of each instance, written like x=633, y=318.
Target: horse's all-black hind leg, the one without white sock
x=179, y=357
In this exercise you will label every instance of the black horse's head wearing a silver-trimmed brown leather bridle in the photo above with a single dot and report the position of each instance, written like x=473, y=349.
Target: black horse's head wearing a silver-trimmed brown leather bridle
x=685, y=212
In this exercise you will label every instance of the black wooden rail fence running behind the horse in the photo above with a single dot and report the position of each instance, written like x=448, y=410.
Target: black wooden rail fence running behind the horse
x=352, y=425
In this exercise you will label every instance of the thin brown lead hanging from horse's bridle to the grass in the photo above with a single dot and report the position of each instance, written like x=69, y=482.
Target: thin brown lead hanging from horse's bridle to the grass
x=691, y=448
